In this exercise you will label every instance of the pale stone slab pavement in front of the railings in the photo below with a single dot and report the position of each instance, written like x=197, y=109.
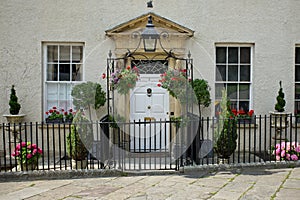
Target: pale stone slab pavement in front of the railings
x=254, y=183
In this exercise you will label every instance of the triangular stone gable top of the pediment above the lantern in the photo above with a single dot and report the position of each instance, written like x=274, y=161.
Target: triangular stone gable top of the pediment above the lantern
x=139, y=23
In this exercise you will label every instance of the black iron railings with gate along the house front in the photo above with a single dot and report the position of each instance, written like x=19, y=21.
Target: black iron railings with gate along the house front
x=147, y=144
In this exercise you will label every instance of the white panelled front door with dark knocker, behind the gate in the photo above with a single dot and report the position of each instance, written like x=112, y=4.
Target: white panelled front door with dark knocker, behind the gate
x=149, y=103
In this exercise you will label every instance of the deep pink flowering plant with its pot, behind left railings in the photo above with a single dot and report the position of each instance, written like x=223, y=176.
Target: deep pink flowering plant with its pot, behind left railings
x=27, y=155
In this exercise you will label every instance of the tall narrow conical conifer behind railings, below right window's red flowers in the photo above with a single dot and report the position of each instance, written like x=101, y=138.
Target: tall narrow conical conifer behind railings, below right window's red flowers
x=225, y=134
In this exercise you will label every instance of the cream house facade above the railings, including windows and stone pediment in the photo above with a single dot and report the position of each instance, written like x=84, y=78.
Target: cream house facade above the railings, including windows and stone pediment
x=47, y=47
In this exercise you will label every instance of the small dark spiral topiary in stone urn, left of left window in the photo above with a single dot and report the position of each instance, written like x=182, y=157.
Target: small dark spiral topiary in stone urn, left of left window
x=14, y=116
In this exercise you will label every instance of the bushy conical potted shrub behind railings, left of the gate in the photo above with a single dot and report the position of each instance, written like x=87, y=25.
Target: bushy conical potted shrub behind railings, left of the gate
x=79, y=140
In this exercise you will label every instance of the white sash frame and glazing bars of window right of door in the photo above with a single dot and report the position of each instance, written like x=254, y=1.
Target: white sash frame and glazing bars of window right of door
x=239, y=64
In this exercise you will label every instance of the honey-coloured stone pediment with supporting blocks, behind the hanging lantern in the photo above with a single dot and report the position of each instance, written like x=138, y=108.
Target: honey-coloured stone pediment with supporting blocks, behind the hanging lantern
x=125, y=34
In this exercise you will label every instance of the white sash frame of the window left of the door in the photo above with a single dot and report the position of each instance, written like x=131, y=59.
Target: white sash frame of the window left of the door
x=46, y=82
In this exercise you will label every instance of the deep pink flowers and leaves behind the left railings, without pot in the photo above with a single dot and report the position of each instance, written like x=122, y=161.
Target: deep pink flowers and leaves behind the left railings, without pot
x=25, y=152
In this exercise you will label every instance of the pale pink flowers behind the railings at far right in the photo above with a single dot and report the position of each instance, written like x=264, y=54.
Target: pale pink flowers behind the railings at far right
x=287, y=151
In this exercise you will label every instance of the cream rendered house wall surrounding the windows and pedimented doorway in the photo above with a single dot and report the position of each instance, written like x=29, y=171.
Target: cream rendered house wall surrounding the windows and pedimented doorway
x=270, y=29
